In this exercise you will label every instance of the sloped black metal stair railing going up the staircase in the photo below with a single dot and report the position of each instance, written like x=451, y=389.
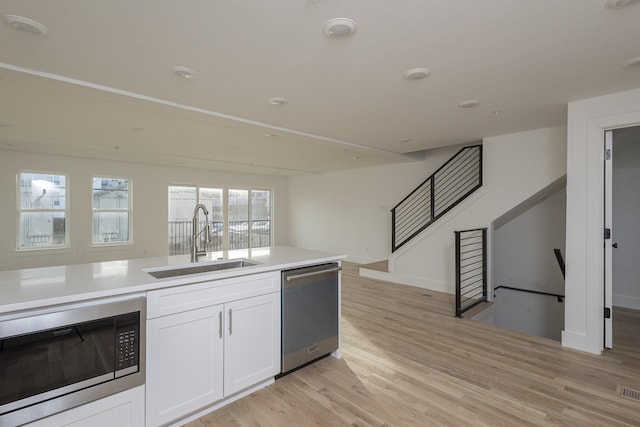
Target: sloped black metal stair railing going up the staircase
x=442, y=191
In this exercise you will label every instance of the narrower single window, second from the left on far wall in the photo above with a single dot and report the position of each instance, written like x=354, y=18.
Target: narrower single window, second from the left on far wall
x=111, y=211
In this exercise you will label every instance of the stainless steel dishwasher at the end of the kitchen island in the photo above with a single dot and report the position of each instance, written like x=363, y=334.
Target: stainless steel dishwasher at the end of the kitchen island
x=309, y=314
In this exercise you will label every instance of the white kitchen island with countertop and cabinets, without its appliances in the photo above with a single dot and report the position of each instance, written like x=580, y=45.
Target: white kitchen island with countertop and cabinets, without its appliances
x=211, y=337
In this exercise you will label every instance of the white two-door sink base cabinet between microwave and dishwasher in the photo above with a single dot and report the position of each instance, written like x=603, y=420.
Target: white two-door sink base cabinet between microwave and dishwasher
x=199, y=354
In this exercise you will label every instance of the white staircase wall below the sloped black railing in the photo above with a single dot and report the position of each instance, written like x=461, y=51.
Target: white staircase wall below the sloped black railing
x=515, y=167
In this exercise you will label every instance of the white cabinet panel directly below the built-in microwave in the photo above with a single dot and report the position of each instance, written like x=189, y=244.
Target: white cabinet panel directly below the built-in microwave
x=124, y=409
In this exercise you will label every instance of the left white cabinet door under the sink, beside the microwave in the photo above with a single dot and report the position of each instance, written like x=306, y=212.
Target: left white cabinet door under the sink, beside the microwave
x=184, y=363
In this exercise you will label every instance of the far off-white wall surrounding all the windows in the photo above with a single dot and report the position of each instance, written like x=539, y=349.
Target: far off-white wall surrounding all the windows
x=149, y=206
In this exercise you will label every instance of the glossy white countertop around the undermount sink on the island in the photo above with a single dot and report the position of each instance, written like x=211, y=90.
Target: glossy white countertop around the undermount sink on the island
x=39, y=287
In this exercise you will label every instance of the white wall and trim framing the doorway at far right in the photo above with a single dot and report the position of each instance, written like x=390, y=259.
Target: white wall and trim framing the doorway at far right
x=587, y=121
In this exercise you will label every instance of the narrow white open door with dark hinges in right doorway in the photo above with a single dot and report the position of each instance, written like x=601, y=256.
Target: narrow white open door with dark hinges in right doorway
x=608, y=239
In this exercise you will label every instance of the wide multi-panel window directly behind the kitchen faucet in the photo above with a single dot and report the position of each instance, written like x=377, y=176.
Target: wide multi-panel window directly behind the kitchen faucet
x=248, y=224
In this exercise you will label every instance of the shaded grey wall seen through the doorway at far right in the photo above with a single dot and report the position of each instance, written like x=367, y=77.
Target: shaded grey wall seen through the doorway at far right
x=625, y=225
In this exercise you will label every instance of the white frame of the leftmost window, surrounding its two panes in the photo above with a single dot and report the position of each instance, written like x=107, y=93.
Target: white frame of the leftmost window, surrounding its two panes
x=20, y=210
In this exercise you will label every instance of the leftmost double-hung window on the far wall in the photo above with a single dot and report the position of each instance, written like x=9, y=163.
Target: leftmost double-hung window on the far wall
x=42, y=212
